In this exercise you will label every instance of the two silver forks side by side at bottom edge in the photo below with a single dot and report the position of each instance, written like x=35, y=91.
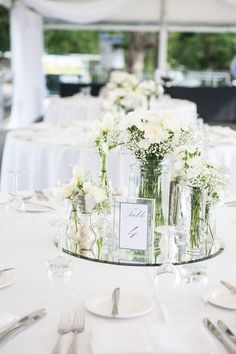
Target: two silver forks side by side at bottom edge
x=70, y=323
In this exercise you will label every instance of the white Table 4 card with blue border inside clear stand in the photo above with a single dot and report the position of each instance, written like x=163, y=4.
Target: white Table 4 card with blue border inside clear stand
x=133, y=228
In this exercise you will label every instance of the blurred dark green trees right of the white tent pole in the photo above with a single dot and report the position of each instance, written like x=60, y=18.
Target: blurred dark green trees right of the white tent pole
x=199, y=51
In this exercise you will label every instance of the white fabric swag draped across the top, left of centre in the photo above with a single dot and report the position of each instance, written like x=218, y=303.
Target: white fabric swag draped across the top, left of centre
x=86, y=12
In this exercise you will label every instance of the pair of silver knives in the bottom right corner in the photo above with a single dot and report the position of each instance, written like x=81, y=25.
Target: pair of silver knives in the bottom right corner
x=223, y=334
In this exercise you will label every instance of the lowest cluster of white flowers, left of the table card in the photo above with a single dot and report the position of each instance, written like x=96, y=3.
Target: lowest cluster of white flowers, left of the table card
x=84, y=192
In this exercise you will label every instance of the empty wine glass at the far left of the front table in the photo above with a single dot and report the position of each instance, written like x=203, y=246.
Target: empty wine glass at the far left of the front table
x=15, y=202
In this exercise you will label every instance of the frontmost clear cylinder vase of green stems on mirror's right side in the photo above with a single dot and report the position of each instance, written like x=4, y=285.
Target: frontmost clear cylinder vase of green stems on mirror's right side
x=195, y=235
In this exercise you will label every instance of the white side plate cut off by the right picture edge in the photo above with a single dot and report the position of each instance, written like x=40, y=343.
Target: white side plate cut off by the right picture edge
x=222, y=297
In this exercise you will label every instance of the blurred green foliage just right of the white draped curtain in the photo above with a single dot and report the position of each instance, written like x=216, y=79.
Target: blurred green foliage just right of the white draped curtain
x=65, y=42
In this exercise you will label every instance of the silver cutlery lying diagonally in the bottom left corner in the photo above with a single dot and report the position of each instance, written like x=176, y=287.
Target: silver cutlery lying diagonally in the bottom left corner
x=21, y=324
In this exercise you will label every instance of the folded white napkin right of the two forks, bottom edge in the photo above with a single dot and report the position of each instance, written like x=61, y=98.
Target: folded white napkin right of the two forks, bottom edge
x=120, y=339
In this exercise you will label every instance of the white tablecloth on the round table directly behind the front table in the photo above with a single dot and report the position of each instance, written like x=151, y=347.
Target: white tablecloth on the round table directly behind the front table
x=47, y=154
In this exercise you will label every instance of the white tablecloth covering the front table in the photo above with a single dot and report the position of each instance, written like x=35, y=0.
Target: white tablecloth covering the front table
x=26, y=243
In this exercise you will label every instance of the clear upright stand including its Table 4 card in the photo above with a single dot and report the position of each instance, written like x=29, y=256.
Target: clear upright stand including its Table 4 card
x=134, y=230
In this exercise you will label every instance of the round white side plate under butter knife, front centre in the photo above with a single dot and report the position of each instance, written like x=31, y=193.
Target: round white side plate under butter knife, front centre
x=130, y=305
